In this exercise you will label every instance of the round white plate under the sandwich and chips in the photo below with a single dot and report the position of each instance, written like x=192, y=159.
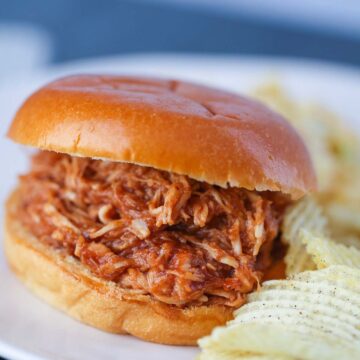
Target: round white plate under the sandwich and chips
x=30, y=329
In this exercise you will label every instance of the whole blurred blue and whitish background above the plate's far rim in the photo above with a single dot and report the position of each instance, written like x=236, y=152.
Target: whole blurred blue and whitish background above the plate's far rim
x=35, y=33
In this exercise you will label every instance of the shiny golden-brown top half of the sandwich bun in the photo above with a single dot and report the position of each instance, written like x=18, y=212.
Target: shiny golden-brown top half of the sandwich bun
x=205, y=133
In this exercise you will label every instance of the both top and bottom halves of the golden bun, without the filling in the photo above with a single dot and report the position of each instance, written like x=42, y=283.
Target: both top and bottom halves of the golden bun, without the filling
x=207, y=134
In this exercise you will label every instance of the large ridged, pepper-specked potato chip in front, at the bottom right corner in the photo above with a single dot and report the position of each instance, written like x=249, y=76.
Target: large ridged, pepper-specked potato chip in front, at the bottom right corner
x=313, y=315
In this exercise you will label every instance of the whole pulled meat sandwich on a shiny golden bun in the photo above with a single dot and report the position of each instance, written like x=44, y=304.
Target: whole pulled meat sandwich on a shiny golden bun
x=152, y=207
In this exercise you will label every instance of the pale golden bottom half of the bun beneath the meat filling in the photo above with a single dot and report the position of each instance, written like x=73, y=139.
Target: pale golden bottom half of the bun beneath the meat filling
x=67, y=285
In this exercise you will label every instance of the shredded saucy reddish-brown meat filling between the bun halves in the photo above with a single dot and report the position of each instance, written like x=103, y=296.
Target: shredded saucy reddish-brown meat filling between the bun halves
x=174, y=239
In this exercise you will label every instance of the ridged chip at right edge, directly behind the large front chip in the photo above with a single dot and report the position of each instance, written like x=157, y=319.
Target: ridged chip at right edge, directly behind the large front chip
x=326, y=252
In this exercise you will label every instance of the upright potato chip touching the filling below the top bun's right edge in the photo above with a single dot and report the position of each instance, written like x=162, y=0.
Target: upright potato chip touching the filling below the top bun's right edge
x=304, y=215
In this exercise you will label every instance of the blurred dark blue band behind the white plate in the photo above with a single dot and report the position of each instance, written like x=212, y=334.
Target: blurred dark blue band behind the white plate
x=88, y=28
